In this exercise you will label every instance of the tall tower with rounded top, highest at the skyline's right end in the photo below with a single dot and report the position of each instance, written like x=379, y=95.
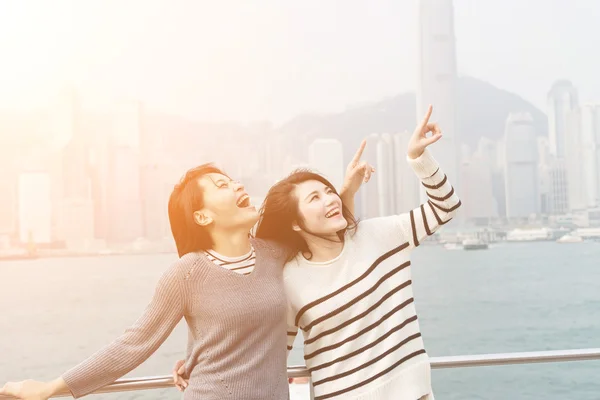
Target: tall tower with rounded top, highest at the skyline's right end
x=562, y=99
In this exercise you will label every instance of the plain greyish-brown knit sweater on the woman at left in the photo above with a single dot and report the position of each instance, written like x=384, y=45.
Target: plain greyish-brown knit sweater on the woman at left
x=237, y=331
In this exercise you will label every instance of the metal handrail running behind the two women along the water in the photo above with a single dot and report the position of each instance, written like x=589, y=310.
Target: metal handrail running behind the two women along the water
x=482, y=360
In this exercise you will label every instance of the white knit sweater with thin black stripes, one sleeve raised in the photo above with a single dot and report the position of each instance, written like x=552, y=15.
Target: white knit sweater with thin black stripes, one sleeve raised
x=357, y=312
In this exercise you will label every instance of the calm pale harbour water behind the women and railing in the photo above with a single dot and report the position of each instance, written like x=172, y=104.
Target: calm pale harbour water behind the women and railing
x=512, y=297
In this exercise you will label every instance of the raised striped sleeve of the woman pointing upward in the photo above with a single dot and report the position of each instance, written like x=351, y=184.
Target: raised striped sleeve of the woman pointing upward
x=440, y=208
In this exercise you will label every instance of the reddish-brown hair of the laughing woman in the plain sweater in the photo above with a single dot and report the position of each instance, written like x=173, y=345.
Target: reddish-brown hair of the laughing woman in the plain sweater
x=185, y=199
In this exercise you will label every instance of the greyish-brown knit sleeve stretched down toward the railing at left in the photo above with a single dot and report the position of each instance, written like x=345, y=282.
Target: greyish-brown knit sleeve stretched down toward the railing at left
x=135, y=345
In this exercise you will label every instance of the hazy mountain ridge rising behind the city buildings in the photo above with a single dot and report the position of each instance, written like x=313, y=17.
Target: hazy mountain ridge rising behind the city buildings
x=481, y=111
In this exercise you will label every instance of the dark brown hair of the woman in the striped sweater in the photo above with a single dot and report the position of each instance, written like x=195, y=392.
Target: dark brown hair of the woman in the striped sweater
x=280, y=210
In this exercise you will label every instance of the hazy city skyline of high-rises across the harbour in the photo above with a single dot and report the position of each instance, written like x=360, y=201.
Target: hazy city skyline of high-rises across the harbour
x=107, y=176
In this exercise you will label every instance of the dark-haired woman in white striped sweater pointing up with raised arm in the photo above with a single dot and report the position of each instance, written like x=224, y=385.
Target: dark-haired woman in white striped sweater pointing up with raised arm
x=349, y=287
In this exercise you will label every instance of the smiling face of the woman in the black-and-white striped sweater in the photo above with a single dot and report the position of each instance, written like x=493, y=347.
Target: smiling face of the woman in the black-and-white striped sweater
x=319, y=208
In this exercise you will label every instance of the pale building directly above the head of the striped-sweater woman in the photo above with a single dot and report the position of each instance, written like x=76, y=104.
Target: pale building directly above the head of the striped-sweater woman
x=327, y=157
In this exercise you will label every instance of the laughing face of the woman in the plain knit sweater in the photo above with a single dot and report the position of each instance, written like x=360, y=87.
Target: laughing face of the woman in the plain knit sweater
x=226, y=203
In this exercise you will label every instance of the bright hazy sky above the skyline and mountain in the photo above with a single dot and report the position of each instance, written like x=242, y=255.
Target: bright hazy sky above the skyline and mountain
x=273, y=59
